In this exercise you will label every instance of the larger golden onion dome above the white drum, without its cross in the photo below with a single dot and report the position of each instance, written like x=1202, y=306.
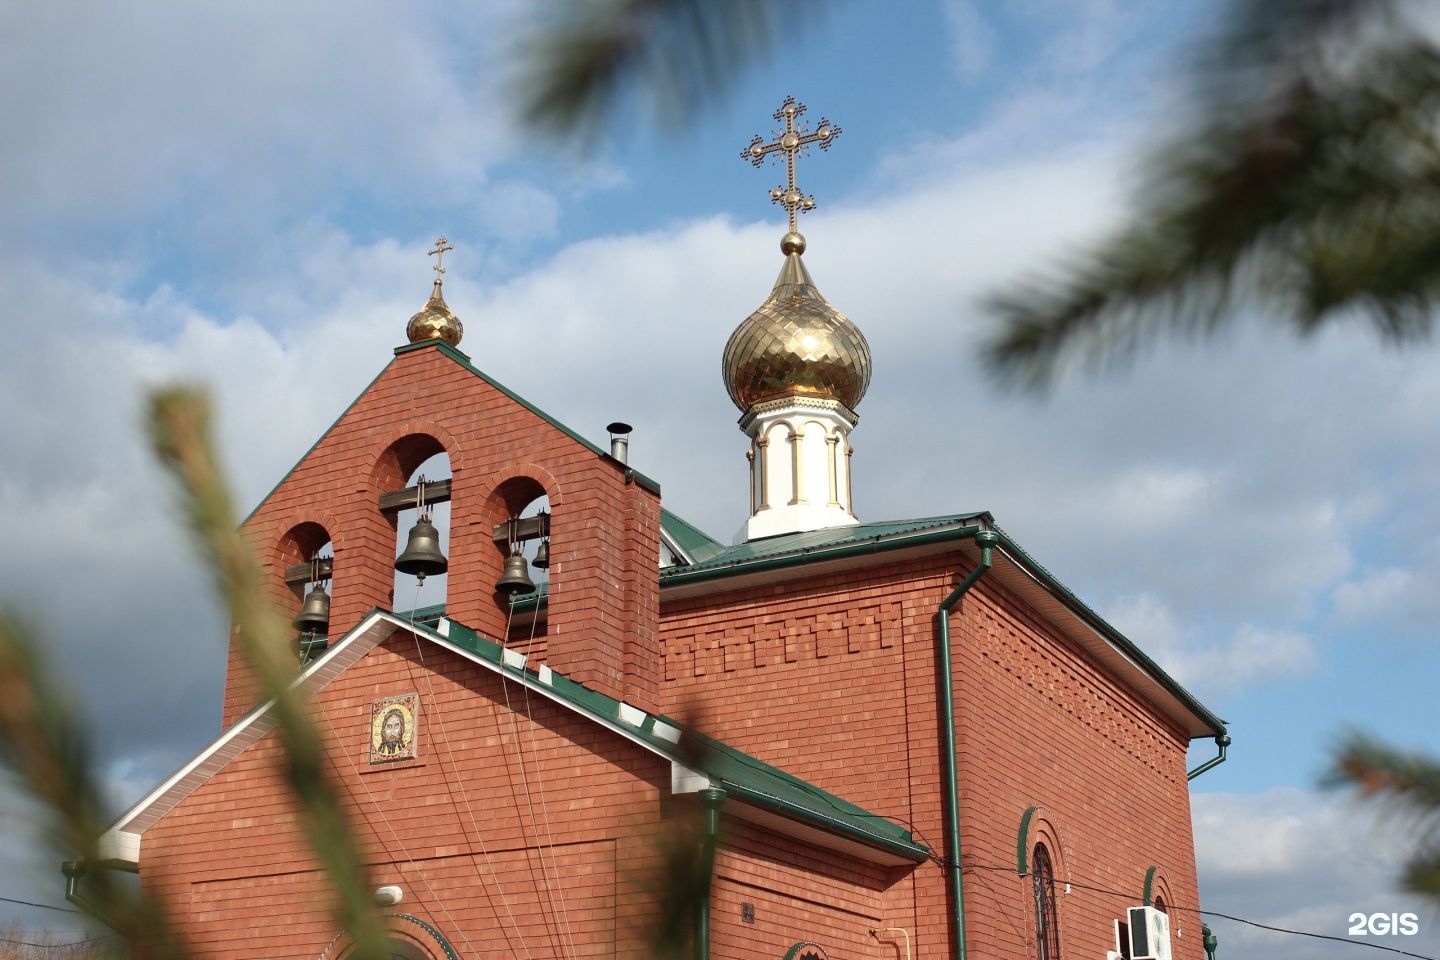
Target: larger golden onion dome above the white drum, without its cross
x=797, y=345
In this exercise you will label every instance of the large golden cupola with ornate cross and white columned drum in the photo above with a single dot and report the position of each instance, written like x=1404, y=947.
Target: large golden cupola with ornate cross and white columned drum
x=797, y=368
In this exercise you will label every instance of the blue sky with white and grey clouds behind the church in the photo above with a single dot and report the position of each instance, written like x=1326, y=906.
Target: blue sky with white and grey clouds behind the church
x=247, y=195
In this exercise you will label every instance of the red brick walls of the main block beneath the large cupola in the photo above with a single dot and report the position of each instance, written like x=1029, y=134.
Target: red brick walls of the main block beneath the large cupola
x=834, y=680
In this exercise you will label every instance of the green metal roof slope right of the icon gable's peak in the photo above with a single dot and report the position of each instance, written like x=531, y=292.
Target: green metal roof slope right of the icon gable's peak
x=739, y=774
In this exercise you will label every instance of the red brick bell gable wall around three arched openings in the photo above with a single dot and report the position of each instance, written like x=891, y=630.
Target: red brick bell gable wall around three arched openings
x=606, y=532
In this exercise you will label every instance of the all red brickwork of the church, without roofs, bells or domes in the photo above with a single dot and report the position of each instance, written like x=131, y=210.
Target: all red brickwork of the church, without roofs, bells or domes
x=525, y=830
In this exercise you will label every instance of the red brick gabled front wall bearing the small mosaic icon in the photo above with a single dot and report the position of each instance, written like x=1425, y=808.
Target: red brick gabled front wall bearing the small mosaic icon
x=231, y=863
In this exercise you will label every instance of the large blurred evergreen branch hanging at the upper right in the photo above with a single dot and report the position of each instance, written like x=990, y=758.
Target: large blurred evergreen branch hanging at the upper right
x=1308, y=185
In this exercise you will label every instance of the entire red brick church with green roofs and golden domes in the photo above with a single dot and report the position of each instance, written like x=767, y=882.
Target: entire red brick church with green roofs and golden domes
x=906, y=739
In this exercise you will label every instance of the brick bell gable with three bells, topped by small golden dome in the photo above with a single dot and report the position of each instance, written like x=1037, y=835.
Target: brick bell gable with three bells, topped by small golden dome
x=601, y=530
